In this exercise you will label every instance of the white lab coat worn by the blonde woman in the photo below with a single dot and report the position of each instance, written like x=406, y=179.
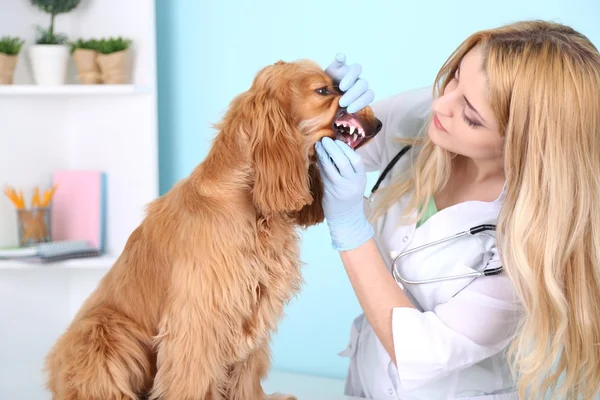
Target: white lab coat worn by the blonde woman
x=451, y=346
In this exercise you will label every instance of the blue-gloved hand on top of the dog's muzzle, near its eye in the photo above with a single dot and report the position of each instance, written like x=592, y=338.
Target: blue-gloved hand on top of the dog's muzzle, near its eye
x=357, y=93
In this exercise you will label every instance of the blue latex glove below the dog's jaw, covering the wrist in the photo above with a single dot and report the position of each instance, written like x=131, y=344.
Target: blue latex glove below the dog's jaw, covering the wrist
x=344, y=181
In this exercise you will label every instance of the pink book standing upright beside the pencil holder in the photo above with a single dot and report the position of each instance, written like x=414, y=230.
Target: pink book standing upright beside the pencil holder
x=78, y=206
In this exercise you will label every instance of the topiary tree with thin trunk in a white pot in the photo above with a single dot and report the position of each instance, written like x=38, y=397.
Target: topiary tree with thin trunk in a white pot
x=50, y=55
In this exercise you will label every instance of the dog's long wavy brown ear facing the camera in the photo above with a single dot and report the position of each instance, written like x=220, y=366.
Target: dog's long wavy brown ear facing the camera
x=281, y=182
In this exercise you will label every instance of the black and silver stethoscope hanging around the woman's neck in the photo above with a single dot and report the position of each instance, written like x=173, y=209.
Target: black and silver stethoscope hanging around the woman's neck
x=472, y=231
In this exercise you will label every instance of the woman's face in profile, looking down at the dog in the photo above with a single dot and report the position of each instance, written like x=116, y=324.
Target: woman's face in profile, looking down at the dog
x=463, y=121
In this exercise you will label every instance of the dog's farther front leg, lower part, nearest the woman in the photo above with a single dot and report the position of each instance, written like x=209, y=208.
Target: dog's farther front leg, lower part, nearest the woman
x=245, y=378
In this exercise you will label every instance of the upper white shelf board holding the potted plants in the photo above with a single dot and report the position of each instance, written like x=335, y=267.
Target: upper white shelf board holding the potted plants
x=72, y=89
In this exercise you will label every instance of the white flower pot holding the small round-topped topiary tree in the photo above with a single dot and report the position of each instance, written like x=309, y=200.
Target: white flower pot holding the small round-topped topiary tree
x=49, y=63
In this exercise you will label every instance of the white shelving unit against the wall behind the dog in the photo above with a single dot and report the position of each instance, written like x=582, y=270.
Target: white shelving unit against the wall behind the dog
x=109, y=128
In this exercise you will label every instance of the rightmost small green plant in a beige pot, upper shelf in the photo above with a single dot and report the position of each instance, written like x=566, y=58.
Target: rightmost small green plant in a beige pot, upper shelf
x=115, y=60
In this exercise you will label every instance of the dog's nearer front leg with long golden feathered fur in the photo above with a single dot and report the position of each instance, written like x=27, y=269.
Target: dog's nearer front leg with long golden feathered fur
x=192, y=345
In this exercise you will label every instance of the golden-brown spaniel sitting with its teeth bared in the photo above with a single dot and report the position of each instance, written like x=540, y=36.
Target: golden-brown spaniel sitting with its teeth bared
x=187, y=310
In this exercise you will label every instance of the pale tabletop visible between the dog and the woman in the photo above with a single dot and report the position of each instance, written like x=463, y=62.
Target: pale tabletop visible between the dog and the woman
x=306, y=387
